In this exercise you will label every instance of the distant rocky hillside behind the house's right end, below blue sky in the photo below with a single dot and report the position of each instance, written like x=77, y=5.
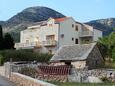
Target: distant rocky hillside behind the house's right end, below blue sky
x=106, y=25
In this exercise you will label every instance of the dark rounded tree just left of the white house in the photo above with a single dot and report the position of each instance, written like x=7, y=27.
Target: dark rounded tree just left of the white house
x=8, y=41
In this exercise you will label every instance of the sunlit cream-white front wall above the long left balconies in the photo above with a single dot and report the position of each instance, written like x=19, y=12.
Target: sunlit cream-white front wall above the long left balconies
x=39, y=33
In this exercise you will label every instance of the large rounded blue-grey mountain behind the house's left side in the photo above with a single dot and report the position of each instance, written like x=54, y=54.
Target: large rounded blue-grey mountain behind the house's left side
x=30, y=15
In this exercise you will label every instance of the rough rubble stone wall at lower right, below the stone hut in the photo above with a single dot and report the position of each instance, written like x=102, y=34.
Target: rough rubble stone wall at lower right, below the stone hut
x=78, y=75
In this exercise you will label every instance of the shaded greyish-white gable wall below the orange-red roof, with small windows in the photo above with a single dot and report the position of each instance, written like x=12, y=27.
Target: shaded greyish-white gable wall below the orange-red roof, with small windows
x=68, y=31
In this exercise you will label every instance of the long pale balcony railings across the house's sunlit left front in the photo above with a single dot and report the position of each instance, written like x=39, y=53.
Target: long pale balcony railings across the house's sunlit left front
x=35, y=44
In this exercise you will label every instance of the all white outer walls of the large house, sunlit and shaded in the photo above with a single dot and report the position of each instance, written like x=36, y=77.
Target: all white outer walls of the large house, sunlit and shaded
x=37, y=32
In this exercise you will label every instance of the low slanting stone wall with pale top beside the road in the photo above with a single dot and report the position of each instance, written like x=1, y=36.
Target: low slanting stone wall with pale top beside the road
x=22, y=80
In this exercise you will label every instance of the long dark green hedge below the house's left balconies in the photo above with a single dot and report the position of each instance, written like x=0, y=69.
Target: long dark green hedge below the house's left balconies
x=24, y=55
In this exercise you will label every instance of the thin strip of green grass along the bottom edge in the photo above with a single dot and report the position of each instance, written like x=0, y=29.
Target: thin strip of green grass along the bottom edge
x=82, y=84
